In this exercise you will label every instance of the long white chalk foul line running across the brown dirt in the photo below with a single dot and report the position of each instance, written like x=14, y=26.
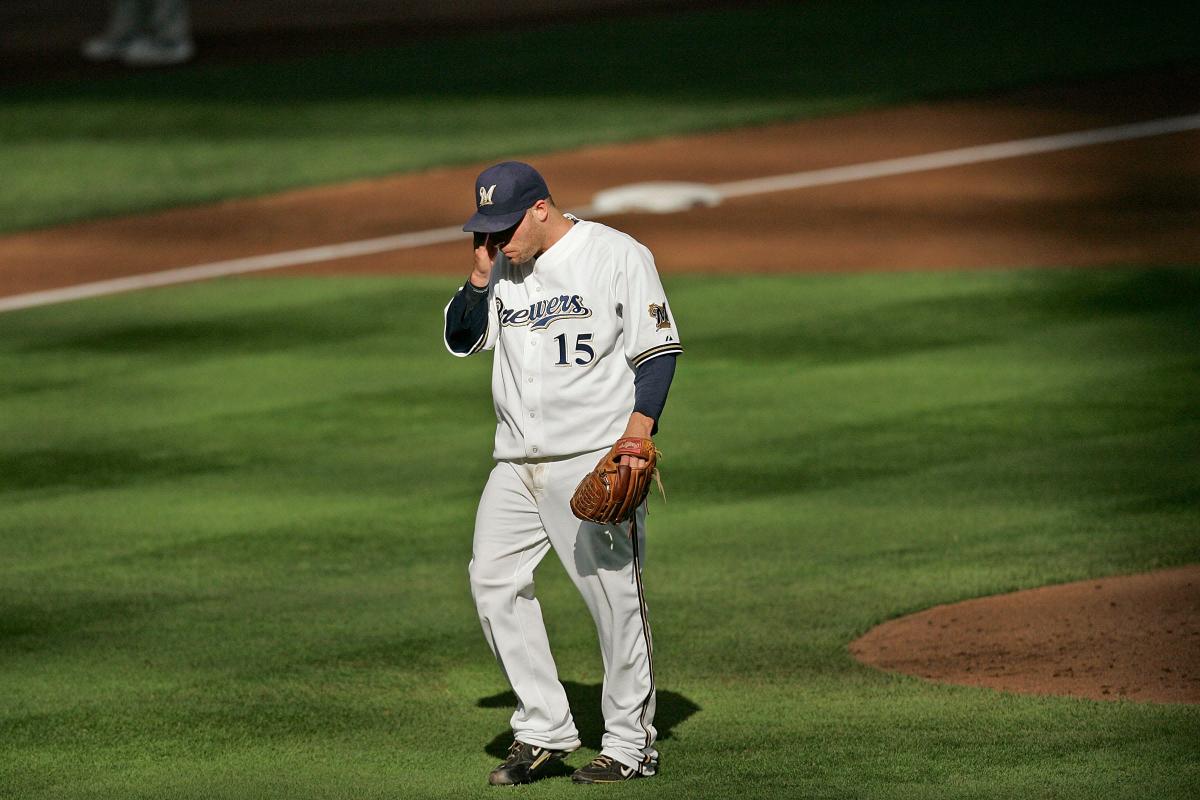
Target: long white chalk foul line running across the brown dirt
x=847, y=175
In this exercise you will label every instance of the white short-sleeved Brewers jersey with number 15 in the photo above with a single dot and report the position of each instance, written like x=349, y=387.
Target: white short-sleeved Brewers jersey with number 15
x=568, y=330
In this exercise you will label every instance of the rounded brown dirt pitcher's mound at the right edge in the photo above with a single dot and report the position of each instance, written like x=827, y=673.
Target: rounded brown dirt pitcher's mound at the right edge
x=1135, y=637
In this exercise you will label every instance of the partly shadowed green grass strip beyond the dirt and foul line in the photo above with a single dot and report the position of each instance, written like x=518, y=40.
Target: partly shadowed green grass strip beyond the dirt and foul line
x=202, y=134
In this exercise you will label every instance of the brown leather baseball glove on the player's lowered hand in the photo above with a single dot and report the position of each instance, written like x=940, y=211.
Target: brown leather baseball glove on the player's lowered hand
x=613, y=492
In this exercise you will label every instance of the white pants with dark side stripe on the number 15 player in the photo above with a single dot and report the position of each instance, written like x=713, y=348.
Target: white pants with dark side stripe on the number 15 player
x=523, y=514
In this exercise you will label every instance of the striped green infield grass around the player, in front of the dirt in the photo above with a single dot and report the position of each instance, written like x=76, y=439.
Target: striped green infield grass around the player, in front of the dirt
x=237, y=518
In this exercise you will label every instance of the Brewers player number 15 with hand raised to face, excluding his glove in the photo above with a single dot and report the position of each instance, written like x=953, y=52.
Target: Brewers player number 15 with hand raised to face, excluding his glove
x=585, y=350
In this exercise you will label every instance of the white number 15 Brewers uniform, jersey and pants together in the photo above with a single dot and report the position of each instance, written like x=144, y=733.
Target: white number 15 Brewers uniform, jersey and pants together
x=569, y=330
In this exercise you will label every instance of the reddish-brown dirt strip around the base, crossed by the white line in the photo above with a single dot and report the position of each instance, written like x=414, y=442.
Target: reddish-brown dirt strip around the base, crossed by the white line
x=1123, y=203
